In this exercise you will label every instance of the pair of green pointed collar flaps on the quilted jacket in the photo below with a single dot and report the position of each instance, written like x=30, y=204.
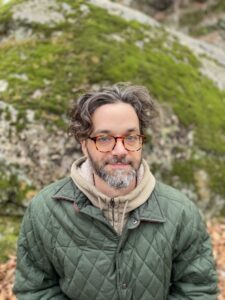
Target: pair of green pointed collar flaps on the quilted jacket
x=150, y=211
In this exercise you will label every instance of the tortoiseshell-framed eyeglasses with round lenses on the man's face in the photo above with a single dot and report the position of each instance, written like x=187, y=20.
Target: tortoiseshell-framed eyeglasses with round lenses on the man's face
x=106, y=143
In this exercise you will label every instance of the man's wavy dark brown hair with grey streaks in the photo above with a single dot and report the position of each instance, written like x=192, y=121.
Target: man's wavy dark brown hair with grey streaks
x=137, y=96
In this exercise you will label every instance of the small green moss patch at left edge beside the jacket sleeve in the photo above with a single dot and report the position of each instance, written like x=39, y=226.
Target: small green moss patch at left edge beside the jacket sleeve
x=9, y=228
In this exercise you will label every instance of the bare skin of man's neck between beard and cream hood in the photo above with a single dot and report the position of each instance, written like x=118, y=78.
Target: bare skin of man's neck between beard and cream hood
x=111, y=192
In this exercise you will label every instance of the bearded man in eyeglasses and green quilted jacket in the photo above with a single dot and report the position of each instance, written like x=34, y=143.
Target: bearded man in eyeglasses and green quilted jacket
x=110, y=230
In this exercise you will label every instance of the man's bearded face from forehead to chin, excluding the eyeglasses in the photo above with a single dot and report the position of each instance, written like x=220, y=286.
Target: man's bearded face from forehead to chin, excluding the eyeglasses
x=119, y=166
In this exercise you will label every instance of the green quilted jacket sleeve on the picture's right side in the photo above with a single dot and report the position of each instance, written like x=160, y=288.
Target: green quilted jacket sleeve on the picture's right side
x=193, y=274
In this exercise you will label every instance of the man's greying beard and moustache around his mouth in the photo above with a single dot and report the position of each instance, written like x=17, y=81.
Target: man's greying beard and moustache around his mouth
x=118, y=178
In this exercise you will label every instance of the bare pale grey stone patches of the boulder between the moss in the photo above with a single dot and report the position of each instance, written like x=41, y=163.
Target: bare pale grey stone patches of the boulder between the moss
x=45, y=155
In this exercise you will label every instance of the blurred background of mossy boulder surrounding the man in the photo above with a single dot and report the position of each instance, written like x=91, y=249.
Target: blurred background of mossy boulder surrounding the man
x=52, y=50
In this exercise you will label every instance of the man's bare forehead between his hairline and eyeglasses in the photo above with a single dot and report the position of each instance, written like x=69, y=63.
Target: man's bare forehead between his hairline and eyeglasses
x=115, y=118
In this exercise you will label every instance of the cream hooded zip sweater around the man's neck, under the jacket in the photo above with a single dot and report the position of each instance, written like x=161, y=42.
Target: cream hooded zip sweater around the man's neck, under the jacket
x=116, y=211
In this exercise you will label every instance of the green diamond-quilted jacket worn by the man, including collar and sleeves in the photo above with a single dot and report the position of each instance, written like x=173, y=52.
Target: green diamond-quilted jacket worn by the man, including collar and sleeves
x=68, y=250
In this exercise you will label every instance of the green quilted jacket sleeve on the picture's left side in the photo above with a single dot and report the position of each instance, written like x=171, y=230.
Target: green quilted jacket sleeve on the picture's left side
x=35, y=276
